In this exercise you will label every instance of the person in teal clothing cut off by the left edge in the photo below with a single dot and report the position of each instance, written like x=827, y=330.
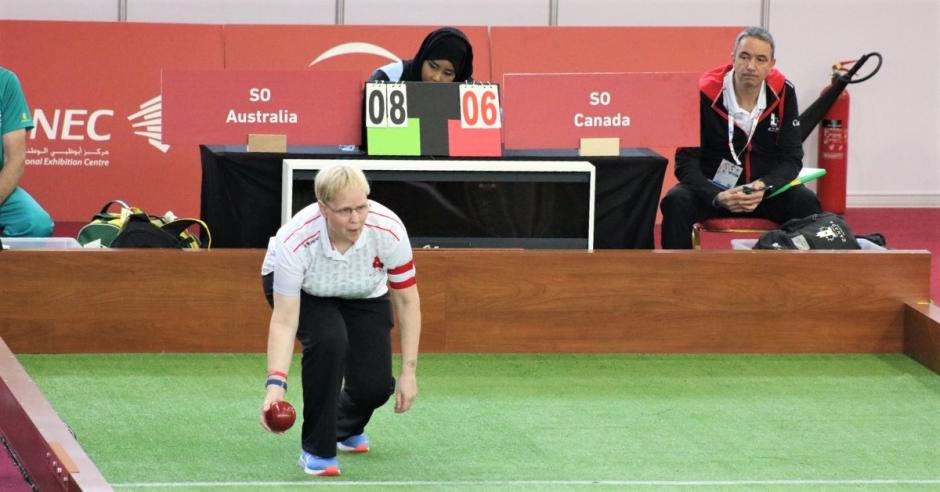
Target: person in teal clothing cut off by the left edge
x=20, y=215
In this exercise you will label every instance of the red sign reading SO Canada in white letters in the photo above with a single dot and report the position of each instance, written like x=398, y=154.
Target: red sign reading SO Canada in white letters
x=549, y=110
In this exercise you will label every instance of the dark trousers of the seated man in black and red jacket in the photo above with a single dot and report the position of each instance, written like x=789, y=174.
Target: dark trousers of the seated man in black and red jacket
x=682, y=208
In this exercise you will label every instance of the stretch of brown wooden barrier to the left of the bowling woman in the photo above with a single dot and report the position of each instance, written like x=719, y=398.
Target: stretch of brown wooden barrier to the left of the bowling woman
x=132, y=301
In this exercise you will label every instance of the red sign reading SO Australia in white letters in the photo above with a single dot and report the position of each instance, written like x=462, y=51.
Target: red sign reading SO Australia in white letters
x=225, y=106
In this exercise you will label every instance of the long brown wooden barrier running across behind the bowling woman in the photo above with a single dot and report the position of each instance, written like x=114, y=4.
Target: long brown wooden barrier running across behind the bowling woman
x=482, y=300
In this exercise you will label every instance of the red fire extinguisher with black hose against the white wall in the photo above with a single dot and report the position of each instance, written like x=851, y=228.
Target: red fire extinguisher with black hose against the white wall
x=834, y=135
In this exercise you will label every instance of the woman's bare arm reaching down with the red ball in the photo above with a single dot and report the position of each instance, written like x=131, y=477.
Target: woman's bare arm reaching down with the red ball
x=281, y=334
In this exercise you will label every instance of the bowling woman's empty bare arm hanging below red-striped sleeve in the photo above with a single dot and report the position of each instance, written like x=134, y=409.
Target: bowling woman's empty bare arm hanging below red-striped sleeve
x=408, y=310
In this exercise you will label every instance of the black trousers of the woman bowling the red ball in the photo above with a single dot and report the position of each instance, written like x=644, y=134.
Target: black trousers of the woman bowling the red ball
x=342, y=339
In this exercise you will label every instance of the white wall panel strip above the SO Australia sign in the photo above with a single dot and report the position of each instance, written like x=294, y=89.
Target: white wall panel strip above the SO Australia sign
x=233, y=11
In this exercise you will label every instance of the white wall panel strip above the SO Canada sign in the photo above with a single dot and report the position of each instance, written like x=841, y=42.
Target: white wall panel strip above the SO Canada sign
x=659, y=13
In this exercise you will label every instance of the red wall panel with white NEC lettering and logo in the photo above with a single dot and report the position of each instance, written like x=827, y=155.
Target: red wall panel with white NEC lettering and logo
x=86, y=82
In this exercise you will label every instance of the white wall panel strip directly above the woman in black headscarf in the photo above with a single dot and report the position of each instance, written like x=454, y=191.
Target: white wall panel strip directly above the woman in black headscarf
x=441, y=12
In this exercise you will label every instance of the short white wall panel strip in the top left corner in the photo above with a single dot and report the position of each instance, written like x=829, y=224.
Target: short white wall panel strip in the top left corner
x=61, y=10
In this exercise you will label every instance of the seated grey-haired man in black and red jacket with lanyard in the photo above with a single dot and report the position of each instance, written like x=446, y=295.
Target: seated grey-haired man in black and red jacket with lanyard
x=750, y=143
